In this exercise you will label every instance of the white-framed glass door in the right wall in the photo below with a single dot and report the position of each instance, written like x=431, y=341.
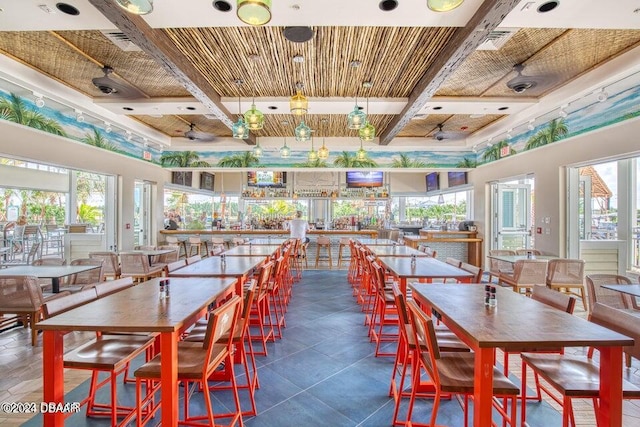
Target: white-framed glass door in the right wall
x=511, y=214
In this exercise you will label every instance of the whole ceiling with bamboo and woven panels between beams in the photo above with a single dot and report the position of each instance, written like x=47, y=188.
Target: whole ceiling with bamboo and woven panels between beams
x=424, y=68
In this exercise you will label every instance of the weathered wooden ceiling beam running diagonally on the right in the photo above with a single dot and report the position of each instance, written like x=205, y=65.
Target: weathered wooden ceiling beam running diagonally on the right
x=462, y=44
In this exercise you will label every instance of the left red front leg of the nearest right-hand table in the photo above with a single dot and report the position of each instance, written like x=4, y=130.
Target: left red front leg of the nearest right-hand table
x=483, y=387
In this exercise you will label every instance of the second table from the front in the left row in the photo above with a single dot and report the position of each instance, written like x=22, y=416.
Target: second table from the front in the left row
x=237, y=267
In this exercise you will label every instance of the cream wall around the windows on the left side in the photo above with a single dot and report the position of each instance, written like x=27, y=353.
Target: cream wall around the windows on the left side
x=21, y=142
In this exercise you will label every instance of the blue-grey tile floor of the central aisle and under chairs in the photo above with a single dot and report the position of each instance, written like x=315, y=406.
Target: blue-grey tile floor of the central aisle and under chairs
x=323, y=372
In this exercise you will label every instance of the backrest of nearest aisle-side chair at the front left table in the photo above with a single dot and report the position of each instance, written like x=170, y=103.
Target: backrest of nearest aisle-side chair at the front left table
x=222, y=321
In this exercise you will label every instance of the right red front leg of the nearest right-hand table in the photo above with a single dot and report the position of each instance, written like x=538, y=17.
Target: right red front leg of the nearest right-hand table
x=610, y=410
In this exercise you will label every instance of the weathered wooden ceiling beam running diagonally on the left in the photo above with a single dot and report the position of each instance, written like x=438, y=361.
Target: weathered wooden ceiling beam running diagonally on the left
x=160, y=47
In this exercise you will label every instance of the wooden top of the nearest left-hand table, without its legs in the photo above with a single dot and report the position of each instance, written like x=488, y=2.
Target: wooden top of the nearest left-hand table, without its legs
x=140, y=309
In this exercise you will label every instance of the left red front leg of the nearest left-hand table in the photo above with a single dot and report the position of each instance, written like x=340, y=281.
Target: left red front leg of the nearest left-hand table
x=53, y=375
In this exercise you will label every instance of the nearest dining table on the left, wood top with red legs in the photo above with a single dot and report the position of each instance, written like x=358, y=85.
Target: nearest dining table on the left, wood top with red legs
x=136, y=309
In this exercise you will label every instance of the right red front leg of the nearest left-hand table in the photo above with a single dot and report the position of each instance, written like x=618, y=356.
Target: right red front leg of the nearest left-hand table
x=169, y=377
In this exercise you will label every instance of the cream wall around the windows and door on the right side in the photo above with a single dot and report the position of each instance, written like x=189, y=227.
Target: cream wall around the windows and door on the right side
x=548, y=165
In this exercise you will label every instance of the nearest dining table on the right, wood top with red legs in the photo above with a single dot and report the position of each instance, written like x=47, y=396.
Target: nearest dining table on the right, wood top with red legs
x=519, y=323
